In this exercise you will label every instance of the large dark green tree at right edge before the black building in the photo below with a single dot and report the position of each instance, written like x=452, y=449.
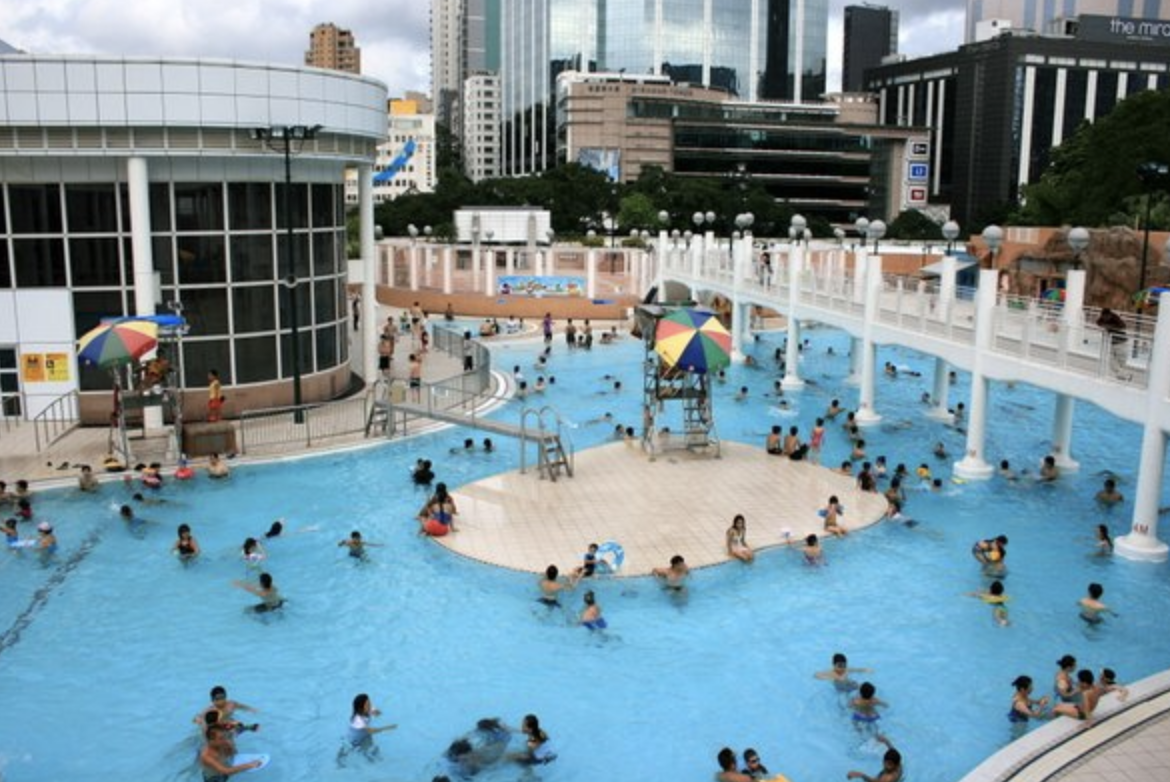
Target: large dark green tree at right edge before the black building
x=1093, y=175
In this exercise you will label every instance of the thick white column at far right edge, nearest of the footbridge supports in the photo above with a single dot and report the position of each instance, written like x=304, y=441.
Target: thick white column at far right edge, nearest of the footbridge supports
x=1143, y=541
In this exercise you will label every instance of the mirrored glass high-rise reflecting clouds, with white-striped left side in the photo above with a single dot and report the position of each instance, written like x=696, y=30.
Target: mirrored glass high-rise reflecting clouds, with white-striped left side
x=752, y=50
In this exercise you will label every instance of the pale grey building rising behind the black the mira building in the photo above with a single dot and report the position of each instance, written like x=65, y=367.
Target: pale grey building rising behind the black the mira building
x=1052, y=16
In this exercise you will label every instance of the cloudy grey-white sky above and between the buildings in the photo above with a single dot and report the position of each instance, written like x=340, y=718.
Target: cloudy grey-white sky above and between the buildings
x=394, y=35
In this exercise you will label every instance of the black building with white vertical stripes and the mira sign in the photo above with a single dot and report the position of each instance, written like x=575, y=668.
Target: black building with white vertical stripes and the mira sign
x=997, y=108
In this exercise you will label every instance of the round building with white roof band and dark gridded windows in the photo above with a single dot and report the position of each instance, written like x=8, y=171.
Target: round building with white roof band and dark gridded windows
x=139, y=187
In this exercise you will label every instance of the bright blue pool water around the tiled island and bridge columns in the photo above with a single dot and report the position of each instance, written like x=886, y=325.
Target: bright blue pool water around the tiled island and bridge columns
x=109, y=651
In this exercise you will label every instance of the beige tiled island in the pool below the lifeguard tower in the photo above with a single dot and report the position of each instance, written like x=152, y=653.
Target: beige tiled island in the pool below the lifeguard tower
x=679, y=503
